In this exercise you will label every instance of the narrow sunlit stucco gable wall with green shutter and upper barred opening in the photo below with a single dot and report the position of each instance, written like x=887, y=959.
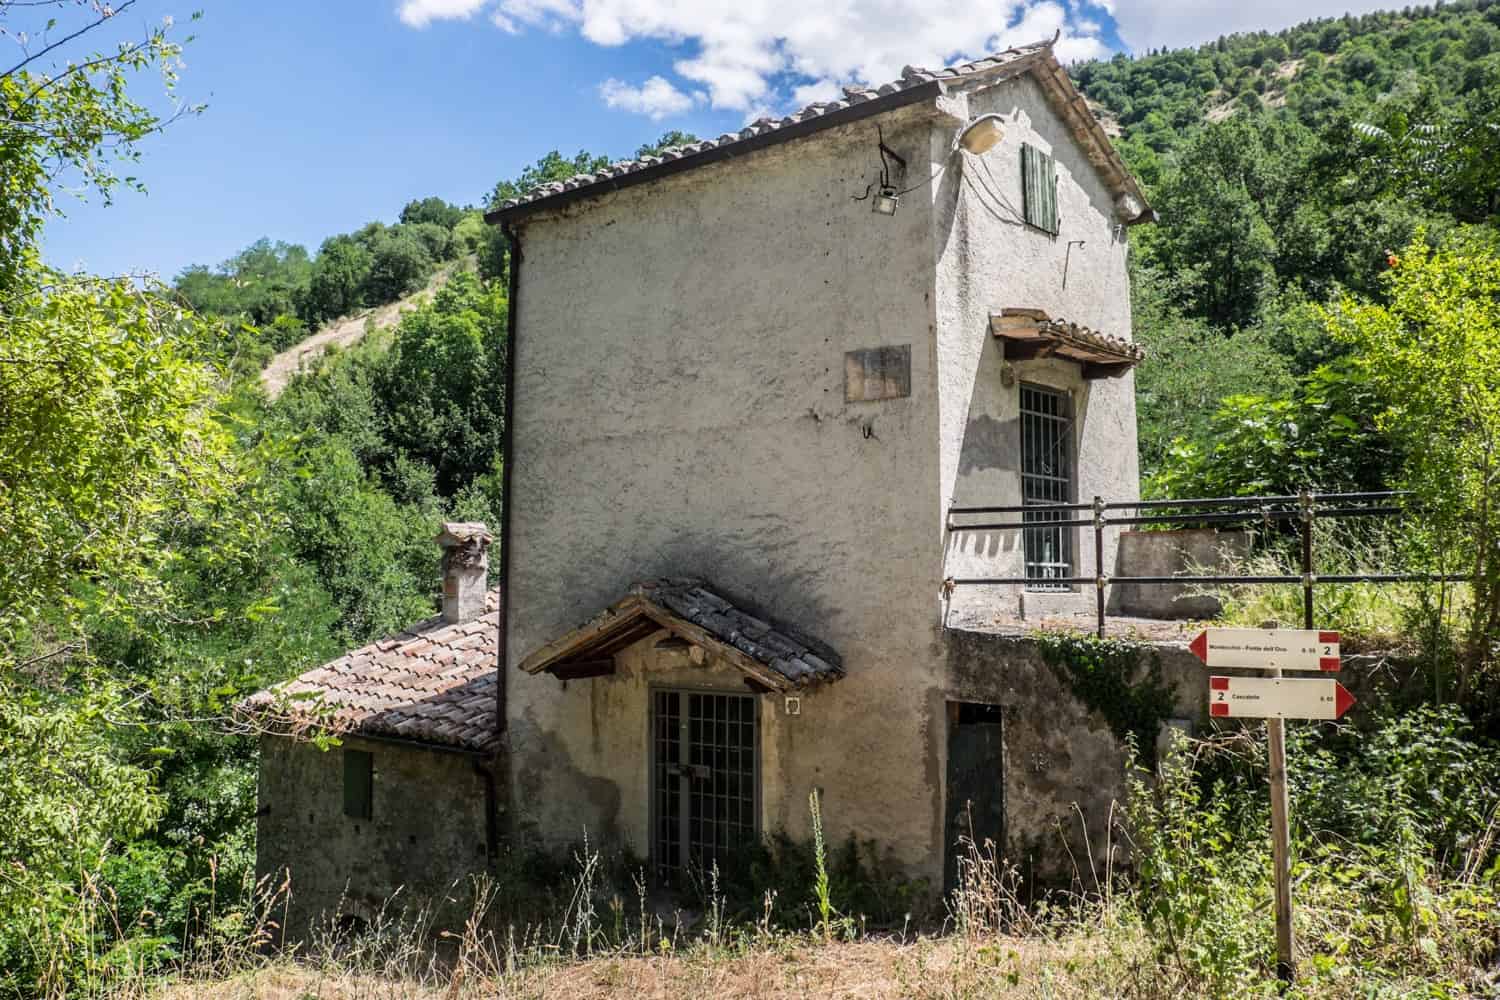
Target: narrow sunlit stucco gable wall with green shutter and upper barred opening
x=988, y=262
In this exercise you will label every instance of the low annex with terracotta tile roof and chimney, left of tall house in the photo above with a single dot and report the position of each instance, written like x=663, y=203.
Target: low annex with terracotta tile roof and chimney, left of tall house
x=407, y=807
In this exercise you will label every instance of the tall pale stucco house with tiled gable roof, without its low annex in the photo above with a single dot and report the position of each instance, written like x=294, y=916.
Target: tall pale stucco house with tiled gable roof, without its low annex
x=751, y=379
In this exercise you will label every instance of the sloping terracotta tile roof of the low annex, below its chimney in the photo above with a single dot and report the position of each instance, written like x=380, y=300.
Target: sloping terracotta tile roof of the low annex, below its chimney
x=431, y=684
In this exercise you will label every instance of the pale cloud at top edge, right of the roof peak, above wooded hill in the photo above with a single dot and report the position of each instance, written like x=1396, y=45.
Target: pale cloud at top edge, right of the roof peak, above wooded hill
x=1175, y=23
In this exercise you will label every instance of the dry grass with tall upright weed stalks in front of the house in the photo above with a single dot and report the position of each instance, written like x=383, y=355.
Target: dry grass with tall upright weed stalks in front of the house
x=992, y=948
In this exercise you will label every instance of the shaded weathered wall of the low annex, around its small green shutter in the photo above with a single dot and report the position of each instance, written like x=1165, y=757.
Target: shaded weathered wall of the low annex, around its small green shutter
x=427, y=833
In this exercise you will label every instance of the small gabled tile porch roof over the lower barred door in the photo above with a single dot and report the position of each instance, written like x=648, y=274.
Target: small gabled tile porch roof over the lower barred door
x=772, y=656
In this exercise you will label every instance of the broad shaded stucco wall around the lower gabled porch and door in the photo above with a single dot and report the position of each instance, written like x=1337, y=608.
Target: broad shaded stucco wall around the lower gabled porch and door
x=682, y=412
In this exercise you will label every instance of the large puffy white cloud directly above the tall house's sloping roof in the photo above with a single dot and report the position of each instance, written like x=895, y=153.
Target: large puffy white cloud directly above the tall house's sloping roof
x=751, y=55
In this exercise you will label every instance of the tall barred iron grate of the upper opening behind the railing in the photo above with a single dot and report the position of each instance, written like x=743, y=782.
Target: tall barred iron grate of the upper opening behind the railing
x=1046, y=479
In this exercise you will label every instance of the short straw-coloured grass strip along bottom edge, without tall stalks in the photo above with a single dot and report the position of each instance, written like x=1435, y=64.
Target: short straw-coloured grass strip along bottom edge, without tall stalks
x=784, y=969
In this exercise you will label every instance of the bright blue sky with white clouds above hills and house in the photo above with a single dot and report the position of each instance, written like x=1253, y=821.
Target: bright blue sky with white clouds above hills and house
x=325, y=116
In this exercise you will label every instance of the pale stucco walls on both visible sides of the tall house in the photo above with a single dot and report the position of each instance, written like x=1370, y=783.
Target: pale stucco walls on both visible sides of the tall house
x=680, y=412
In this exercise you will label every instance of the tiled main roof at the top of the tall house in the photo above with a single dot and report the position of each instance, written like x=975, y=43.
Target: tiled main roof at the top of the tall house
x=856, y=104
